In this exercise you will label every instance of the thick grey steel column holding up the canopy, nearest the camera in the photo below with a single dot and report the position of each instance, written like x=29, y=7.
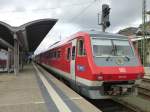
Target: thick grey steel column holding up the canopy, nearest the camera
x=16, y=52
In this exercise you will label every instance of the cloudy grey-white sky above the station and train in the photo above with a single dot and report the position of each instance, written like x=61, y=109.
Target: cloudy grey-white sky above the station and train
x=72, y=15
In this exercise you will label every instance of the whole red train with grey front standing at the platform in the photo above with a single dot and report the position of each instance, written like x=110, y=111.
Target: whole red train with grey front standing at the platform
x=98, y=65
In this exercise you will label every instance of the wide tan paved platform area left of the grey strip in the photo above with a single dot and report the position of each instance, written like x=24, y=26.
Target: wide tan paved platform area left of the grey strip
x=20, y=93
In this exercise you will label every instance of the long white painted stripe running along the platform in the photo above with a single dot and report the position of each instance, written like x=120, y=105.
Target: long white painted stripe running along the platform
x=62, y=107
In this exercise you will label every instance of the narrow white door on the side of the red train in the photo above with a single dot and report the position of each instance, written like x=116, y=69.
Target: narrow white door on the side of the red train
x=72, y=62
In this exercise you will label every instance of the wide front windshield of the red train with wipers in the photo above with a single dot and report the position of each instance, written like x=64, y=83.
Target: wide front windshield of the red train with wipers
x=104, y=47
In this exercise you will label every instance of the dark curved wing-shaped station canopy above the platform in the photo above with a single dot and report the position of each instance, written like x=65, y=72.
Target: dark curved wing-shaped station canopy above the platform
x=29, y=35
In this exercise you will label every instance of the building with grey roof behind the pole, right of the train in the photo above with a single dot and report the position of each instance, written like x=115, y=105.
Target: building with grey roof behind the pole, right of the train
x=136, y=35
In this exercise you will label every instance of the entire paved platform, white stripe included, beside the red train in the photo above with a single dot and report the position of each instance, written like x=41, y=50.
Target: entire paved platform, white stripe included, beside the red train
x=36, y=90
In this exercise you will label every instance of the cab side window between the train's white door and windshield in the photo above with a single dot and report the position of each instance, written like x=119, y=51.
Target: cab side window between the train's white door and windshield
x=81, y=50
